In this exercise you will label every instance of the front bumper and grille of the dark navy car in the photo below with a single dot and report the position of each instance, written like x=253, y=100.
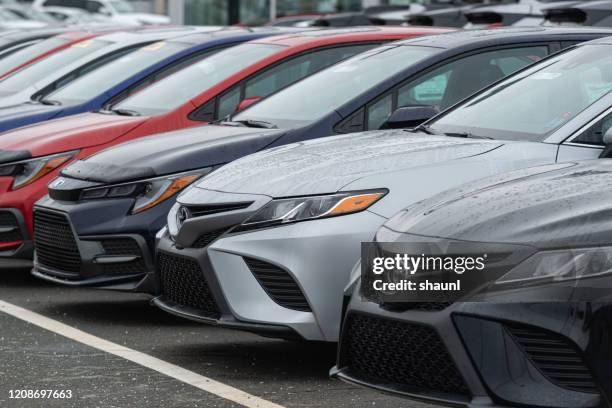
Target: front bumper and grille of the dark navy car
x=96, y=243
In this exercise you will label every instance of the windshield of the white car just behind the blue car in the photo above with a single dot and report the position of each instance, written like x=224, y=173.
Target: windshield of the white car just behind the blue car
x=31, y=74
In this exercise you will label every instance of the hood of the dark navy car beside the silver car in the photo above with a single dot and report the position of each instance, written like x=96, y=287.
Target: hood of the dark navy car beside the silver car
x=172, y=152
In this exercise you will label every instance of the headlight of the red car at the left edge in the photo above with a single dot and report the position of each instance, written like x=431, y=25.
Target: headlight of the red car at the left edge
x=28, y=171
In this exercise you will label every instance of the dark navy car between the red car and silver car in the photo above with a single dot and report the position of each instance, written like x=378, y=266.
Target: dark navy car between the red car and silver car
x=355, y=95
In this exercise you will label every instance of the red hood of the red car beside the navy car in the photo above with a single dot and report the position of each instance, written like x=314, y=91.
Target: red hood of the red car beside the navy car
x=70, y=133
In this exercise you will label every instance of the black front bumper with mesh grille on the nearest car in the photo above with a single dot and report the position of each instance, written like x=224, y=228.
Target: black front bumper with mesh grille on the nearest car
x=537, y=355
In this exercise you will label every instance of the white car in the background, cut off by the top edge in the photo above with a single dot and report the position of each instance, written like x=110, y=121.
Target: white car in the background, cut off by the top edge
x=118, y=11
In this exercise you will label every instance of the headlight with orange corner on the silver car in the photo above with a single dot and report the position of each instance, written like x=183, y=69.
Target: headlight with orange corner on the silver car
x=288, y=210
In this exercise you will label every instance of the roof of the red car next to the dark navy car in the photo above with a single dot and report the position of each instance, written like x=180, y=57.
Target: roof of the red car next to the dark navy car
x=350, y=34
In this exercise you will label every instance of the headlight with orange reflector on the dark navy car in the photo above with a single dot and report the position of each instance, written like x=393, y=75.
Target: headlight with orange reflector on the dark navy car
x=147, y=193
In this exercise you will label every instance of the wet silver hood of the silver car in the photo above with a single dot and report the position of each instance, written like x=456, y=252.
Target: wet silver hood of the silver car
x=327, y=165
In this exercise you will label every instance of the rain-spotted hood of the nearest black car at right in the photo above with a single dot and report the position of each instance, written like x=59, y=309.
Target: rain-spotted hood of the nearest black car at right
x=547, y=206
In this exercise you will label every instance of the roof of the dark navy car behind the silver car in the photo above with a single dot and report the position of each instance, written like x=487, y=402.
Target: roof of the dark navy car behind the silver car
x=500, y=36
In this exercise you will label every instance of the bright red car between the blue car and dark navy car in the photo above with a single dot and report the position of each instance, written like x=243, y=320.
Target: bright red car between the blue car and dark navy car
x=205, y=91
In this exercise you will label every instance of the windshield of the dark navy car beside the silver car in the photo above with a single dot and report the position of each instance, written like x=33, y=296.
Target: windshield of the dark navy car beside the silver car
x=335, y=86
